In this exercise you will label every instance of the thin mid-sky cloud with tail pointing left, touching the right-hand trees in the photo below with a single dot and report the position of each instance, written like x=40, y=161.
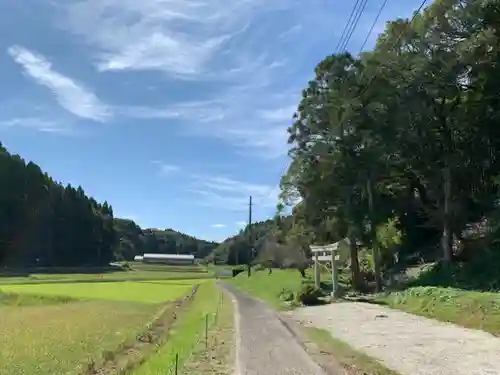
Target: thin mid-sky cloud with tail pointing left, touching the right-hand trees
x=253, y=122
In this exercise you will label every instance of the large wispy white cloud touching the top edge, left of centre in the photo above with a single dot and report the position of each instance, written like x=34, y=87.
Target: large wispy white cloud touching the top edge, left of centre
x=178, y=37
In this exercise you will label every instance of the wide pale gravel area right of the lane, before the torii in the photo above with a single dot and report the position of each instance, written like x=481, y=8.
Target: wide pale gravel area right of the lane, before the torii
x=409, y=344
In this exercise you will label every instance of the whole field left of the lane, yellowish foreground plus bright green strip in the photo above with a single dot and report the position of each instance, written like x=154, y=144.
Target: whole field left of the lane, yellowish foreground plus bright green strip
x=61, y=323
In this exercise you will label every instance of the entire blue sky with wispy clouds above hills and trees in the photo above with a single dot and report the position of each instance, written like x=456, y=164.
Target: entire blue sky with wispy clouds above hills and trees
x=175, y=111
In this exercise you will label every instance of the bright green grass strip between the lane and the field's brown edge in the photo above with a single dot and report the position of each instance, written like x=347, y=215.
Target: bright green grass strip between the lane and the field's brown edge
x=186, y=333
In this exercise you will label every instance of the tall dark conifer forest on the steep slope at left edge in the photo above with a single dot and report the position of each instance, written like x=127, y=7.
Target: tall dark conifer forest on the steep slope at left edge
x=44, y=223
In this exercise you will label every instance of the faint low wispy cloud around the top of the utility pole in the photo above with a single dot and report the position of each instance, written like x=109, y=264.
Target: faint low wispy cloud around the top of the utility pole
x=230, y=194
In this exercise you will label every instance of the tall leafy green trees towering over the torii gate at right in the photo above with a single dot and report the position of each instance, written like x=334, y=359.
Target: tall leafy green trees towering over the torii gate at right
x=397, y=149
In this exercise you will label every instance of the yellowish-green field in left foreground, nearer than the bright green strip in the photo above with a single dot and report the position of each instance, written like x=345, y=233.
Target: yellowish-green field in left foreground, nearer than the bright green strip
x=61, y=338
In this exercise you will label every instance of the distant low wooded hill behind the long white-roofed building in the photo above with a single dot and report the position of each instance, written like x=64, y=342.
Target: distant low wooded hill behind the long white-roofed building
x=132, y=240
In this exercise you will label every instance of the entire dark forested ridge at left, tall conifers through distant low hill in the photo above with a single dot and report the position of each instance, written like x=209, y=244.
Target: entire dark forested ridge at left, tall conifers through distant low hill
x=43, y=223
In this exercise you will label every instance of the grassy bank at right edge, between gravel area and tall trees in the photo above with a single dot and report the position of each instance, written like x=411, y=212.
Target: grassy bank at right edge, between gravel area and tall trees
x=479, y=310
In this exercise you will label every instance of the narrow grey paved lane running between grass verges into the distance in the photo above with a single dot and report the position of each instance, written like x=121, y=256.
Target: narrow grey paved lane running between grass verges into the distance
x=264, y=346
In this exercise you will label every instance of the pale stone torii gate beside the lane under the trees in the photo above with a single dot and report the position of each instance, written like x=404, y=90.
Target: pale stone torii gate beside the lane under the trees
x=329, y=253
